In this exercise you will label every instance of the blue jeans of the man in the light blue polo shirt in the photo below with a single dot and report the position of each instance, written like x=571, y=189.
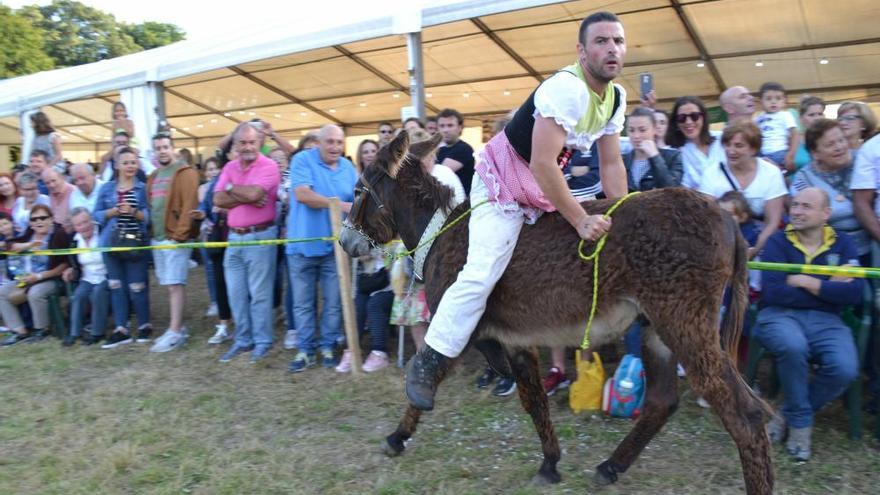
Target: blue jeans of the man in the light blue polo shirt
x=305, y=275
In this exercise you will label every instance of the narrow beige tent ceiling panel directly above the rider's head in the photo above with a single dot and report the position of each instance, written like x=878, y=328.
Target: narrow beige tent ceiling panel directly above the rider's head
x=572, y=11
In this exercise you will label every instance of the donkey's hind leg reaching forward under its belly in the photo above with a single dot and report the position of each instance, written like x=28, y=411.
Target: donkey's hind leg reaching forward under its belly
x=661, y=400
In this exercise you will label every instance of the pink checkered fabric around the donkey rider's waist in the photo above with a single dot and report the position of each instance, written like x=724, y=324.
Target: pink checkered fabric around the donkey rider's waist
x=510, y=182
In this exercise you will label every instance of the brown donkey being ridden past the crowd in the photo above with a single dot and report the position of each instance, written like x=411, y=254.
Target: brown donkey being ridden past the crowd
x=668, y=256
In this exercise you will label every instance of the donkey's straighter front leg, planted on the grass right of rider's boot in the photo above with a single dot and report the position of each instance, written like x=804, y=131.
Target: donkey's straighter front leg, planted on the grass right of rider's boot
x=524, y=363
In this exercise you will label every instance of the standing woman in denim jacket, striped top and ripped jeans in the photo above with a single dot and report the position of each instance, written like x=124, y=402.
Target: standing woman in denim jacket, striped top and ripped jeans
x=122, y=206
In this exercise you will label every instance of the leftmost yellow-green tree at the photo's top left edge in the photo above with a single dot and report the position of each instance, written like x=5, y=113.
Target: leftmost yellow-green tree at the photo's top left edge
x=21, y=45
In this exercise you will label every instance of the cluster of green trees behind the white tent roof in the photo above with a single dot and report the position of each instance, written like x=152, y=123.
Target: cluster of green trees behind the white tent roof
x=67, y=33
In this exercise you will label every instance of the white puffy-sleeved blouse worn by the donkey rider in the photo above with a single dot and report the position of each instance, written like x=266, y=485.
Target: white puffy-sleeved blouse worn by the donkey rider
x=566, y=98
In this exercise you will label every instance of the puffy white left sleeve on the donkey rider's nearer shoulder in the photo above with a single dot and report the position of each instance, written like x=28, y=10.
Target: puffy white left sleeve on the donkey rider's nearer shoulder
x=564, y=98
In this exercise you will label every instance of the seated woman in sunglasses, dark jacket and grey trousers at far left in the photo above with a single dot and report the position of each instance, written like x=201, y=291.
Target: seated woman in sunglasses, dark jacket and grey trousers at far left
x=36, y=274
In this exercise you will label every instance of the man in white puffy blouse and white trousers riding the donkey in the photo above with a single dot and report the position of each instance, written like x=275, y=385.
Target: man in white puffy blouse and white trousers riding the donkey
x=519, y=173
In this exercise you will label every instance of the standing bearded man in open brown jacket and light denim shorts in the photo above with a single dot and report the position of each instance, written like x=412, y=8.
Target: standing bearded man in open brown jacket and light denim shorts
x=172, y=192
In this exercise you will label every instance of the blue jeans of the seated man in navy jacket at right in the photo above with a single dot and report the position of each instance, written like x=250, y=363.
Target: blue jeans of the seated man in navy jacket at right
x=795, y=336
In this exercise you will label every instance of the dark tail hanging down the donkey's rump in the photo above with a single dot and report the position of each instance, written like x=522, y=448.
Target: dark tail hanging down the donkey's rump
x=732, y=325
